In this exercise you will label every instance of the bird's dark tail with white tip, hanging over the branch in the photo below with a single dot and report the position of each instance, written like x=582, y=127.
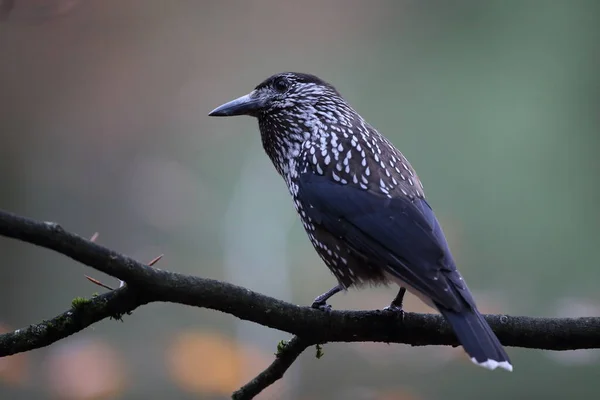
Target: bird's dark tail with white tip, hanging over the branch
x=478, y=339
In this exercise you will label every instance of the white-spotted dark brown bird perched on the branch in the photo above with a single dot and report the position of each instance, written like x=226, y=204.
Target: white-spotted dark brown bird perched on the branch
x=362, y=204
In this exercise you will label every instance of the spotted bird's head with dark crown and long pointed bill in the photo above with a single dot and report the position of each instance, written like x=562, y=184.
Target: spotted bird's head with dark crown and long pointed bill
x=286, y=94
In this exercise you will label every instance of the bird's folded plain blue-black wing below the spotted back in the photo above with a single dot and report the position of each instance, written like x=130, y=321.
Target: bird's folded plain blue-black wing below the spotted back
x=400, y=234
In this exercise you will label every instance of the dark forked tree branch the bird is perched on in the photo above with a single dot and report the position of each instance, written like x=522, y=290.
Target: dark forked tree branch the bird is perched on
x=147, y=284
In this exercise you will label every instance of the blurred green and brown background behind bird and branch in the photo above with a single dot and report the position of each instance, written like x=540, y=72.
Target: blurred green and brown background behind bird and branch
x=104, y=128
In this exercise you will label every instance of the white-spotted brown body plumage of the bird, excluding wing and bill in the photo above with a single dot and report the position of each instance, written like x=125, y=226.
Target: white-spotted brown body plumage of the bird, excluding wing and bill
x=324, y=135
